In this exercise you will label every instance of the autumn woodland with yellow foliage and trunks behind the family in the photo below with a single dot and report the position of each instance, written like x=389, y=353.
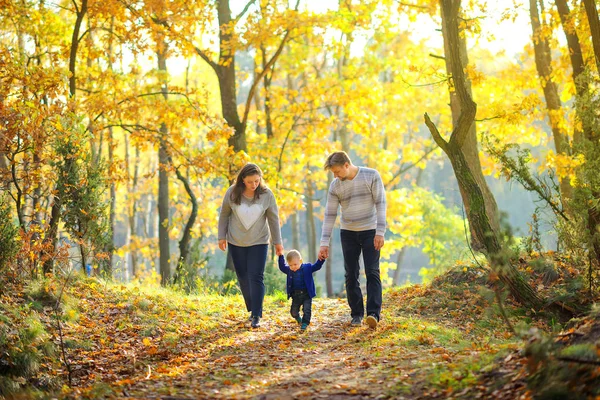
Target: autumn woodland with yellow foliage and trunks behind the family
x=124, y=122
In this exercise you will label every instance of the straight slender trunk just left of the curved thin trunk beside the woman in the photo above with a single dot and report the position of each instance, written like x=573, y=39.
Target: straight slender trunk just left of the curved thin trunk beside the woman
x=163, y=182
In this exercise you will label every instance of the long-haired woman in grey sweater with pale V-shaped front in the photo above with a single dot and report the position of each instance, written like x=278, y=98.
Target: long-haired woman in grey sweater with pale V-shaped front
x=248, y=217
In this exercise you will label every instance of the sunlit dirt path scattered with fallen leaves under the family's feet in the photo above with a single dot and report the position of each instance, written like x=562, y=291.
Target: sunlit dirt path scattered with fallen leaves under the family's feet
x=331, y=360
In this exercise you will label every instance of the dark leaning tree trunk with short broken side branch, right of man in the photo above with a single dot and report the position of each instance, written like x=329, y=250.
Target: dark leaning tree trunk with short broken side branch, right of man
x=470, y=189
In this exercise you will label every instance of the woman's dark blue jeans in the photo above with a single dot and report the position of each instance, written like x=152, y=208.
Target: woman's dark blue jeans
x=249, y=263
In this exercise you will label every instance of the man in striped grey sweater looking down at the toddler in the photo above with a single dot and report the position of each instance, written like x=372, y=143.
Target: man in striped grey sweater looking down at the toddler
x=360, y=193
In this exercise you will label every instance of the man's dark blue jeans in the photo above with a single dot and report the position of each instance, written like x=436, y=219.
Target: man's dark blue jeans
x=353, y=243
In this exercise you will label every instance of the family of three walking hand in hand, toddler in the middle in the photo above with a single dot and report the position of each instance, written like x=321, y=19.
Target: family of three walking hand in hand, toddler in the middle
x=249, y=218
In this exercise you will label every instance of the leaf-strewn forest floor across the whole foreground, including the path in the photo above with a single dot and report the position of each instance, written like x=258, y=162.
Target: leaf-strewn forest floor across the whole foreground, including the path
x=437, y=341
